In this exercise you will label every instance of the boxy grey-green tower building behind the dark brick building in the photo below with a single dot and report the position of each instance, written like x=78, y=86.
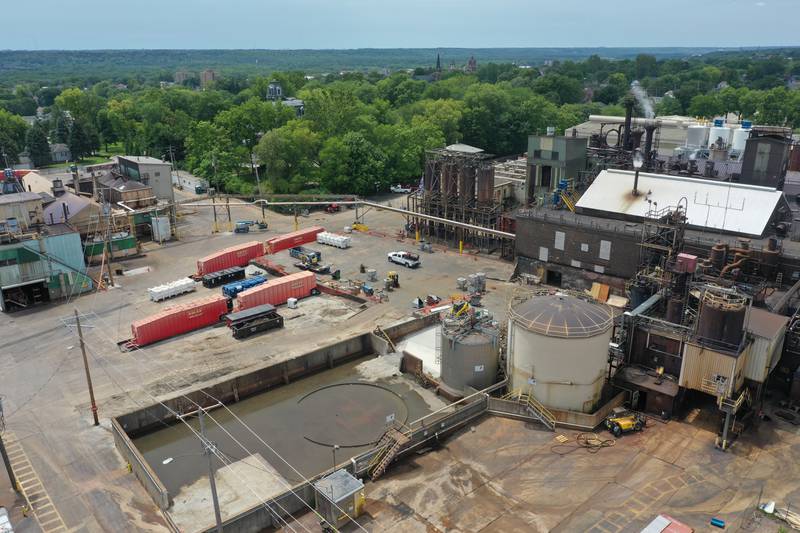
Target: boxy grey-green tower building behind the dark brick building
x=550, y=159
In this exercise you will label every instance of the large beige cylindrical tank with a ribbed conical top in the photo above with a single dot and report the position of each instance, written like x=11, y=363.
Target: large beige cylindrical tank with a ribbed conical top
x=558, y=350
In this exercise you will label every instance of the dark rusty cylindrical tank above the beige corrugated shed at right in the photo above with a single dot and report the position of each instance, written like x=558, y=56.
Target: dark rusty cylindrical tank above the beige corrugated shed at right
x=721, y=317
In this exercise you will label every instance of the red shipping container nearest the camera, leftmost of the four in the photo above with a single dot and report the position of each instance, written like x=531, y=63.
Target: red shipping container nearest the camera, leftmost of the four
x=179, y=319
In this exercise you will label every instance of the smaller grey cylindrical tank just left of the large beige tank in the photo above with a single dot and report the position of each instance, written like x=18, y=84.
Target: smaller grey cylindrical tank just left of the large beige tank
x=469, y=359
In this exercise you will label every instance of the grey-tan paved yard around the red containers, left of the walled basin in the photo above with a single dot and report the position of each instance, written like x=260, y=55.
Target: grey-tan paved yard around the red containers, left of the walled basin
x=43, y=382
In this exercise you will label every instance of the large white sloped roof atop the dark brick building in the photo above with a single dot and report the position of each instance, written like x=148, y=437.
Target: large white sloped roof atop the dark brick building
x=719, y=205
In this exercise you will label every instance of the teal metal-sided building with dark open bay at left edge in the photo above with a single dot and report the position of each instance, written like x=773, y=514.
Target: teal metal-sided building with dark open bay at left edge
x=42, y=269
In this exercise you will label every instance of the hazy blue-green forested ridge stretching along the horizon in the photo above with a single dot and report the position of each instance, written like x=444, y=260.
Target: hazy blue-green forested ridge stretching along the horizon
x=90, y=66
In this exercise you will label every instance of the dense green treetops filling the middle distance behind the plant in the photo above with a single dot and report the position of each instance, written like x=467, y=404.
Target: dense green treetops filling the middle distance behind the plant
x=363, y=131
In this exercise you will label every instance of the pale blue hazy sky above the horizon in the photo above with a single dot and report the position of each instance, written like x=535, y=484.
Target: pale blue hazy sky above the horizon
x=292, y=24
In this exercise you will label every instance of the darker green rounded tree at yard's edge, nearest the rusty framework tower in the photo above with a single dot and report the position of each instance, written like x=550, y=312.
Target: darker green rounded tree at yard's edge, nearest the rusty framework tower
x=351, y=164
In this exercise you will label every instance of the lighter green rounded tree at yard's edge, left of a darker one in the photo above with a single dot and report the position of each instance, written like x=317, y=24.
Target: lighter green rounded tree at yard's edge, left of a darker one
x=290, y=154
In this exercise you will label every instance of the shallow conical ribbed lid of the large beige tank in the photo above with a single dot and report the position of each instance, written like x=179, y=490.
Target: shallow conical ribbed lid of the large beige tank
x=562, y=315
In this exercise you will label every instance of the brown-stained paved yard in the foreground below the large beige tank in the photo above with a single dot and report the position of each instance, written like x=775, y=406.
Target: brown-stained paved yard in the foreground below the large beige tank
x=503, y=475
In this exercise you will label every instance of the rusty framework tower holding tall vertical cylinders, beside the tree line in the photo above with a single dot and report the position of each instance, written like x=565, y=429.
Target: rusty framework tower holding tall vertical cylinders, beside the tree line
x=459, y=186
